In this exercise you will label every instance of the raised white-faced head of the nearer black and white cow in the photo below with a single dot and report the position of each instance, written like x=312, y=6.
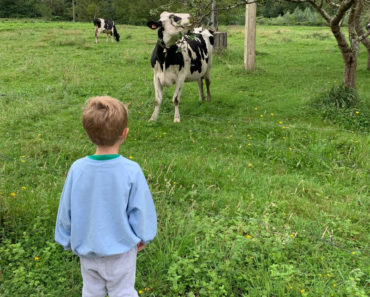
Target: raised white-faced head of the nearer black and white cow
x=172, y=26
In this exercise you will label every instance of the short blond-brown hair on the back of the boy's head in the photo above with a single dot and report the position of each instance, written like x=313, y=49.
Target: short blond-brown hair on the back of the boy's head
x=104, y=119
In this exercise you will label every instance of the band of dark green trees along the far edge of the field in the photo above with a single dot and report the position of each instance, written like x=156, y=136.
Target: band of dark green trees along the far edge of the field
x=140, y=11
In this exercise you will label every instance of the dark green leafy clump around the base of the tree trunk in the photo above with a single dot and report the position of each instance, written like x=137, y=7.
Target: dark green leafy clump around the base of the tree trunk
x=343, y=106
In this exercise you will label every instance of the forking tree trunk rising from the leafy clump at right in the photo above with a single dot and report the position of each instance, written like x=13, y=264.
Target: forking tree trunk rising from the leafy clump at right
x=334, y=11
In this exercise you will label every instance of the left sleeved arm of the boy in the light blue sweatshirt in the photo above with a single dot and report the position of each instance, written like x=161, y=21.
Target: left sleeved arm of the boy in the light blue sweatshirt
x=63, y=223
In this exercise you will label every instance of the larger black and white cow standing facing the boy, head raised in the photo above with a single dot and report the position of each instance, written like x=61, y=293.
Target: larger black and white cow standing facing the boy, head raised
x=179, y=56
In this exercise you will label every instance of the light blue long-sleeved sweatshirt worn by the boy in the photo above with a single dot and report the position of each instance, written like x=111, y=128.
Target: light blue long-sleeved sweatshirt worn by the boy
x=105, y=208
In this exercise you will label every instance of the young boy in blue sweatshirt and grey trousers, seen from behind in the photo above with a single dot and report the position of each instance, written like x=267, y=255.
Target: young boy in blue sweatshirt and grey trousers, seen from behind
x=106, y=212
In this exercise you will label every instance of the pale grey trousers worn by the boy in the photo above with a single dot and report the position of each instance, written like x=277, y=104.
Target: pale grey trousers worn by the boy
x=112, y=275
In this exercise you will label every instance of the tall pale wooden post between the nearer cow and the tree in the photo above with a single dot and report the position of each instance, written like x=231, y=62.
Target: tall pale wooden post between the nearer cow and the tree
x=250, y=36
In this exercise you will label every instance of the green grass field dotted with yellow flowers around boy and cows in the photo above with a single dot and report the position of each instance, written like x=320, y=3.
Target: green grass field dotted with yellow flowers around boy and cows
x=256, y=194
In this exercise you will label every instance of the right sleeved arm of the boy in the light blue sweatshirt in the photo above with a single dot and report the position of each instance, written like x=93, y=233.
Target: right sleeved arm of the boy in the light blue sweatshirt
x=141, y=211
